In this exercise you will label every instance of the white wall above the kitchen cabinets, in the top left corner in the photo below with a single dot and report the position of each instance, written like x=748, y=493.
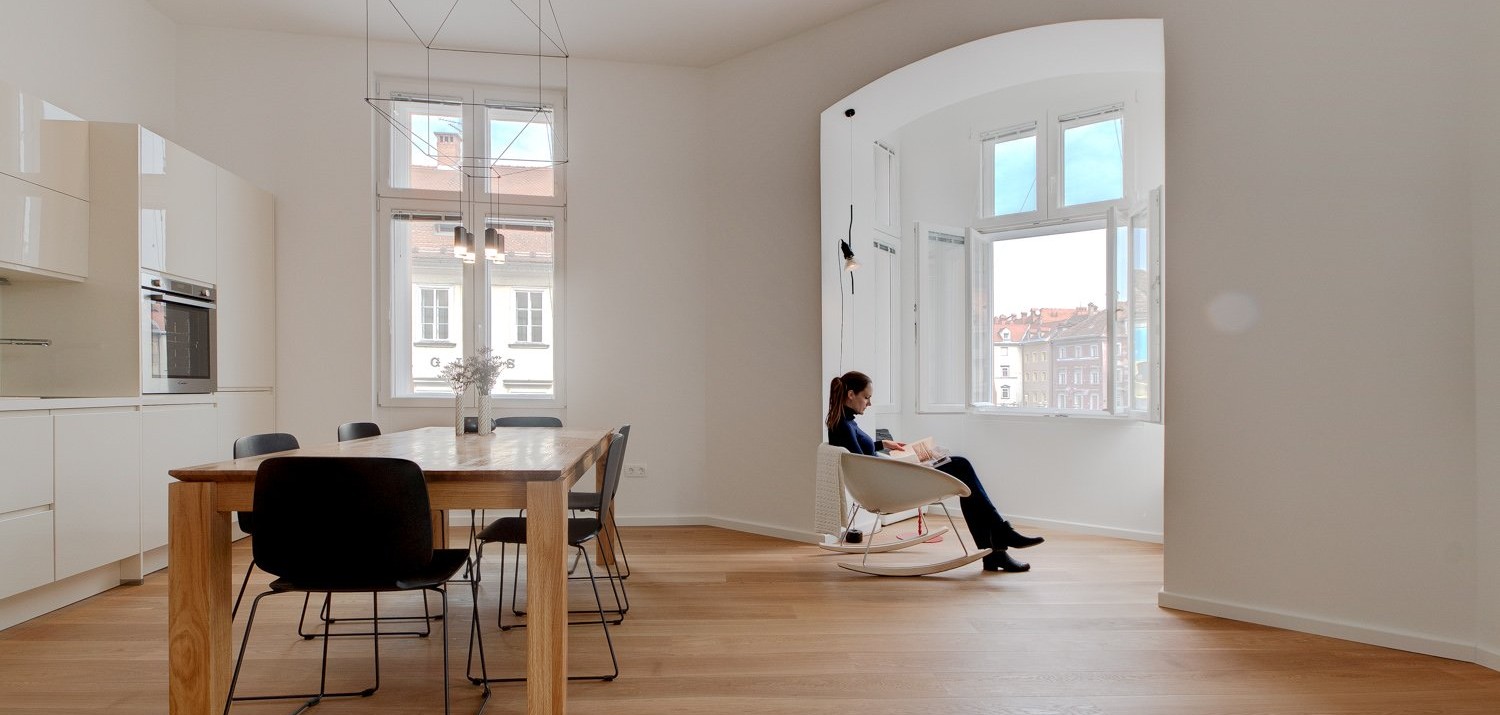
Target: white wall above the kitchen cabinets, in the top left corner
x=106, y=61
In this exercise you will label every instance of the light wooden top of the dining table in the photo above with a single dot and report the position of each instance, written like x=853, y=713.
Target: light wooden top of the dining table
x=509, y=455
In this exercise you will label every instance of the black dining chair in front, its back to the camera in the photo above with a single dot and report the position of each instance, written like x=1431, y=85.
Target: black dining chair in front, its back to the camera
x=313, y=537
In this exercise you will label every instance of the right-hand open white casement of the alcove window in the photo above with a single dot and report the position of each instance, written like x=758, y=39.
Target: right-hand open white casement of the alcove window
x=1136, y=289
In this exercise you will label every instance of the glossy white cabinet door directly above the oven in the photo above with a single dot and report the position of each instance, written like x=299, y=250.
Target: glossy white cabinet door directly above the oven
x=178, y=211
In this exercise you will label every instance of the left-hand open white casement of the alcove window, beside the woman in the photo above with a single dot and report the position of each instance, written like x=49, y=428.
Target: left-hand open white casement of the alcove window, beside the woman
x=943, y=328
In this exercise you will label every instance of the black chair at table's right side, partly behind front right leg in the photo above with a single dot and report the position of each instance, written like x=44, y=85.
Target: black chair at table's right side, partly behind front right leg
x=580, y=533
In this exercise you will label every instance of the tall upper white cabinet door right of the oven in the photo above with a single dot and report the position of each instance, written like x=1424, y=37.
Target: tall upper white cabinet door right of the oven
x=247, y=229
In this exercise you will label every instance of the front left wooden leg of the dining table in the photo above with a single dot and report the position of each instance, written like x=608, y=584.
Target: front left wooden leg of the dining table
x=197, y=600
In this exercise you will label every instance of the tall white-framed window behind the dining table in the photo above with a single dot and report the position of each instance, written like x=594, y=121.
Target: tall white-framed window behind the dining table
x=479, y=158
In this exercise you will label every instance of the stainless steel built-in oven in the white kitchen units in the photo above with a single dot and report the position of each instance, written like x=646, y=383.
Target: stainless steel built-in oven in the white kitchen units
x=179, y=328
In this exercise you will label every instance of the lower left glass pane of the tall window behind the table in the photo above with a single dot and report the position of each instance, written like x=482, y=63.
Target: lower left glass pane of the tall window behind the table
x=434, y=280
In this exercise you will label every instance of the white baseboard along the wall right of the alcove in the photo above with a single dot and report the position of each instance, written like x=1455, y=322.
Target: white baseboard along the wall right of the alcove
x=1357, y=633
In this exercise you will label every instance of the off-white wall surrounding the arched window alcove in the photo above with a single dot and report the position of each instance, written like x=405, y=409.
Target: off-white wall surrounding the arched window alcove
x=1316, y=166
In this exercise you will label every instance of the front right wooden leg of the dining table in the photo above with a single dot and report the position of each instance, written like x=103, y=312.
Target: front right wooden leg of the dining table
x=547, y=596
